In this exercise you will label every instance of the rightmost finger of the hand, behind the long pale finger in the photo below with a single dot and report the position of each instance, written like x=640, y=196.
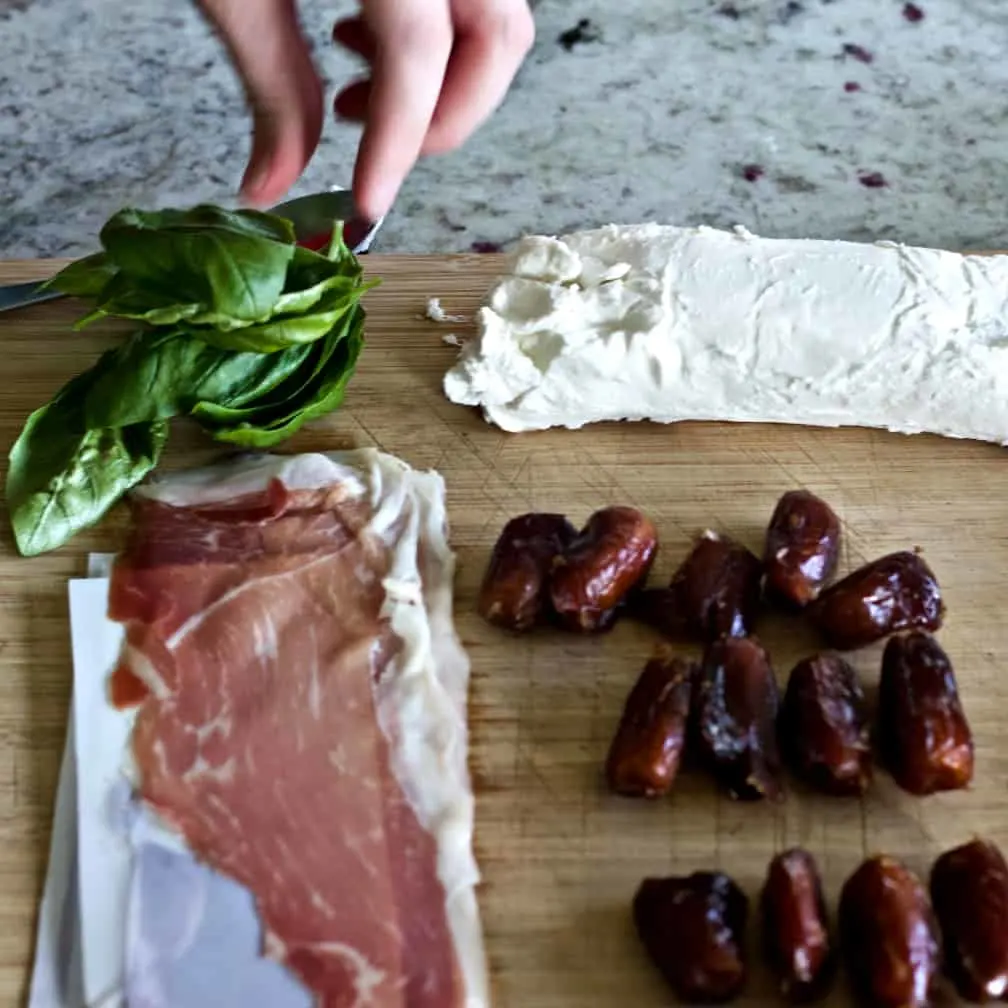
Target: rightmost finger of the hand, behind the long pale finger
x=491, y=43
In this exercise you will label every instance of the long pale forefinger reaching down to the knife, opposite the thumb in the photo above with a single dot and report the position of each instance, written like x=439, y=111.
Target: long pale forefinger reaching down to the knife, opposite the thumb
x=414, y=43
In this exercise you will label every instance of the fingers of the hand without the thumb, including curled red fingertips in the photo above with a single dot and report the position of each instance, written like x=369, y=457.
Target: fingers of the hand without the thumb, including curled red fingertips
x=439, y=69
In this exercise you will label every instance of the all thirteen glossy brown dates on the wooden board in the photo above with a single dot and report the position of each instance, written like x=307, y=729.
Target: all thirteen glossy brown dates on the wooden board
x=728, y=711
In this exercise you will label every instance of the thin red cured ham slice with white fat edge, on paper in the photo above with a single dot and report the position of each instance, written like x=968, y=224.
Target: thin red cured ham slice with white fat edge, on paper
x=302, y=718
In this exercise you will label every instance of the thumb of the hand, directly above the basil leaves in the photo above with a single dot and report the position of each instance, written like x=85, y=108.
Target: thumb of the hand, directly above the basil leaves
x=283, y=86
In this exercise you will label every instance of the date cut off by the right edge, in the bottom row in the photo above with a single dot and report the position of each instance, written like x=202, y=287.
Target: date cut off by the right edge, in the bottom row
x=970, y=897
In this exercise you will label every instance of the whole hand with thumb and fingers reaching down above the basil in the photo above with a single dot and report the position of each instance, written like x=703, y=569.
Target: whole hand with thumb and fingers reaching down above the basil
x=439, y=68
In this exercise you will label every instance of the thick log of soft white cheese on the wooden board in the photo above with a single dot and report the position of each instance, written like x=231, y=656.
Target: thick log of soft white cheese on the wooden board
x=668, y=324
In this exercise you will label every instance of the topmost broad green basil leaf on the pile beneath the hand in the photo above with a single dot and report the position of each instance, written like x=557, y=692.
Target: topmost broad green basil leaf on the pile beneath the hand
x=231, y=264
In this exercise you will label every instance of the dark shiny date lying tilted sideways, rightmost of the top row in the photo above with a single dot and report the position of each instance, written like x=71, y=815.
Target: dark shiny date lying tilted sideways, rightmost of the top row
x=896, y=593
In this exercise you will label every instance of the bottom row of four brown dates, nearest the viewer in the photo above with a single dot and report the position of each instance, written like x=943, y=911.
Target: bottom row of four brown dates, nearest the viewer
x=893, y=939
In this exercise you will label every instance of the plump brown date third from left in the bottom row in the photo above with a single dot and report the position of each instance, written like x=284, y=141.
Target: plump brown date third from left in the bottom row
x=889, y=936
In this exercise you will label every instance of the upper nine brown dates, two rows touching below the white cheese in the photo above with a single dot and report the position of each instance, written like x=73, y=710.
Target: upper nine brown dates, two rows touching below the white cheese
x=728, y=707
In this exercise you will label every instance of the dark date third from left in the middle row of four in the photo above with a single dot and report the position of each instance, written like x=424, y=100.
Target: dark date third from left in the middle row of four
x=823, y=727
